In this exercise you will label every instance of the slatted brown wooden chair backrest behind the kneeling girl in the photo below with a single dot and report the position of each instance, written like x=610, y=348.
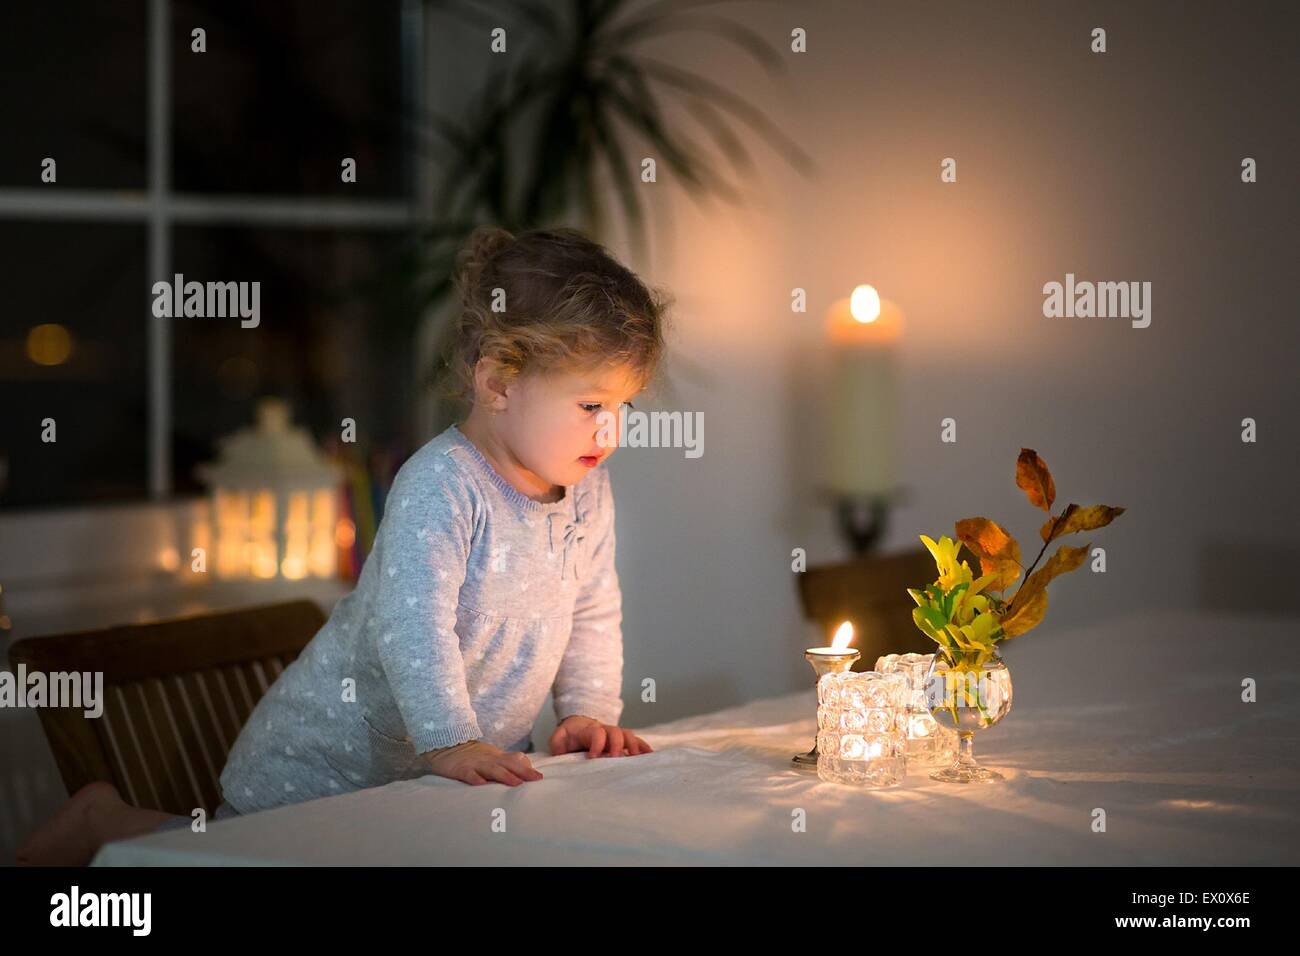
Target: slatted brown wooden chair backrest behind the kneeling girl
x=176, y=695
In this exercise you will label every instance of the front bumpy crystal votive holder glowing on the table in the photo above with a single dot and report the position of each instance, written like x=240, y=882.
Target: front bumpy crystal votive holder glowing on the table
x=860, y=738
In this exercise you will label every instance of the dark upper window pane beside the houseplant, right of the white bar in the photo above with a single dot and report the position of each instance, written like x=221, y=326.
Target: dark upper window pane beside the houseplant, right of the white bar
x=284, y=93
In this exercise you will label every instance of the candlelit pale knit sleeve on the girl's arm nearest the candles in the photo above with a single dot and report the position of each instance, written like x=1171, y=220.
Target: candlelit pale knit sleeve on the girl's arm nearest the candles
x=590, y=681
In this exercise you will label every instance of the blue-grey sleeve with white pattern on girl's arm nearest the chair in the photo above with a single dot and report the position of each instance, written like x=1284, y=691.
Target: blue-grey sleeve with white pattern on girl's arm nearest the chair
x=428, y=527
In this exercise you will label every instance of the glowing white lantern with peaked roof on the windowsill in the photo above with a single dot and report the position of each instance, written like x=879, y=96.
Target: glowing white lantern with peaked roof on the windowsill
x=274, y=503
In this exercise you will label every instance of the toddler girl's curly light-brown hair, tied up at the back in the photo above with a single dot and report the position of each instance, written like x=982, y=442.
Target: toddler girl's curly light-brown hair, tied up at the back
x=569, y=306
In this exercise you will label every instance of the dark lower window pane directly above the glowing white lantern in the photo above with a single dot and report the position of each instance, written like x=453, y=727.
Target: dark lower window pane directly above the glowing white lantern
x=330, y=339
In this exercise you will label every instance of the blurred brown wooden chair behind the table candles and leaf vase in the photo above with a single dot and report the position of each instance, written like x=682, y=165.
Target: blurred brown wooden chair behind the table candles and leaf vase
x=873, y=594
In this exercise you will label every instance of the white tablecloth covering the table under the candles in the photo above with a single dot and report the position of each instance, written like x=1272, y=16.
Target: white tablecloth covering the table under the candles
x=1141, y=717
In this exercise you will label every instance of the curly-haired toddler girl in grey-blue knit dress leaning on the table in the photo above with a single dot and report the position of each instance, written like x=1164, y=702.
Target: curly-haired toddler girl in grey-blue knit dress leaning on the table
x=492, y=579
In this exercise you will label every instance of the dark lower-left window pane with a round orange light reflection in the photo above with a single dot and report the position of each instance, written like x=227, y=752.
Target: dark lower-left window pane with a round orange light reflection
x=73, y=348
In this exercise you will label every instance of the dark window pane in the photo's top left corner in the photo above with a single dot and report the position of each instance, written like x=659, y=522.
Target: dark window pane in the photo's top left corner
x=73, y=88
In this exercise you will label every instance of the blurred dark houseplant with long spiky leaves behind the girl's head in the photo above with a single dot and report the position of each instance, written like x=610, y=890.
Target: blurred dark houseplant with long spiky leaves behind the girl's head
x=565, y=122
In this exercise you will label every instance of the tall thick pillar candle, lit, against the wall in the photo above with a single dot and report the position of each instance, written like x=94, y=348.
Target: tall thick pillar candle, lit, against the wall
x=864, y=332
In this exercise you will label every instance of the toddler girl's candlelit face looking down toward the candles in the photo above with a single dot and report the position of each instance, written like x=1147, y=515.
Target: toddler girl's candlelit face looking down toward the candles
x=552, y=426
